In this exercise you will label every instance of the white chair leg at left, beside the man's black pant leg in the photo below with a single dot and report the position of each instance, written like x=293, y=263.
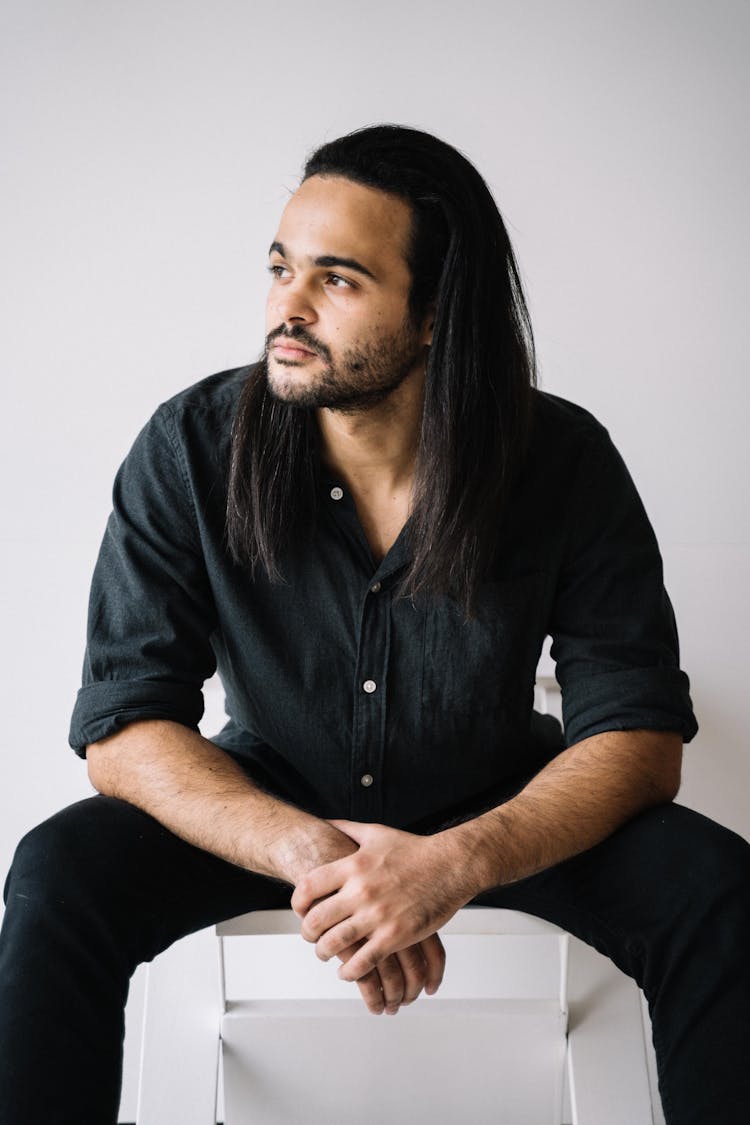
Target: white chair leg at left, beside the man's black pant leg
x=182, y=1036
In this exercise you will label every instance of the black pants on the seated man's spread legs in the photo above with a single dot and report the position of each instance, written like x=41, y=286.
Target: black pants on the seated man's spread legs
x=102, y=887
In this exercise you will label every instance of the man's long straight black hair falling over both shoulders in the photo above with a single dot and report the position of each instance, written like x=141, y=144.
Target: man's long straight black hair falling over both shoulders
x=480, y=383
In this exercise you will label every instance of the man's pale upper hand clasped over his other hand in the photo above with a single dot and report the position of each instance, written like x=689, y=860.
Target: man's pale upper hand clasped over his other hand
x=394, y=894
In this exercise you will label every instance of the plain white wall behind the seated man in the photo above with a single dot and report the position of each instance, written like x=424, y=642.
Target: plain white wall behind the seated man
x=148, y=151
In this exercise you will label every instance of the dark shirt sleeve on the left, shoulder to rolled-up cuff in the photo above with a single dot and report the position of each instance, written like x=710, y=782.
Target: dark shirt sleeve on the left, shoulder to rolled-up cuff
x=151, y=611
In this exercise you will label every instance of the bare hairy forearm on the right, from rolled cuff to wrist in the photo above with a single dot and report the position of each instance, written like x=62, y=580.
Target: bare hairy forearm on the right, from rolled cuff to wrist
x=579, y=800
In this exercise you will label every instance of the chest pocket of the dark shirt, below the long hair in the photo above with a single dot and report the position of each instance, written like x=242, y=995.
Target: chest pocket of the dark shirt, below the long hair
x=489, y=662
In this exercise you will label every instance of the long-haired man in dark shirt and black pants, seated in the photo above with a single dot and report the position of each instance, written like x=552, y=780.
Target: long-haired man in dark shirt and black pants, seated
x=371, y=534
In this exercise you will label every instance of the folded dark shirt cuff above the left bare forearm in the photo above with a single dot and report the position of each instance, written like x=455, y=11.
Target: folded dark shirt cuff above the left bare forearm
x=105, y=708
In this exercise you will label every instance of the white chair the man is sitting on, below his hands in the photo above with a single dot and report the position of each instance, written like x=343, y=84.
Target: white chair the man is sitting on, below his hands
x=440, y=1061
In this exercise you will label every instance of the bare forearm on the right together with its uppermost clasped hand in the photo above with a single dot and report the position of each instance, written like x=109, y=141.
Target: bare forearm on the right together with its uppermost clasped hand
x=399, y=887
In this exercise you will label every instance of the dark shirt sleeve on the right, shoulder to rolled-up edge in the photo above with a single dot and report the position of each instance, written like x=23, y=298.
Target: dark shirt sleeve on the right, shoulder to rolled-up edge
x=613, y=629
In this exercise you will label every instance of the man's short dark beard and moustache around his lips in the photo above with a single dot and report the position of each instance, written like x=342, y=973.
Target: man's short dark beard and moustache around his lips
x=364, y=379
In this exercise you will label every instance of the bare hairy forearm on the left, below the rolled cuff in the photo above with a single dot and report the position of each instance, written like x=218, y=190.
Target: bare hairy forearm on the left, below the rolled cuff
x=202, y=795
